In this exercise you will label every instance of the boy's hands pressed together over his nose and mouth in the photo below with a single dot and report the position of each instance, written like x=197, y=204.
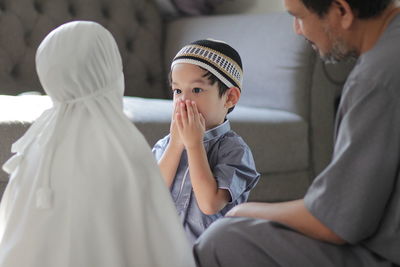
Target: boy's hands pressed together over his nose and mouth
x=190, y=123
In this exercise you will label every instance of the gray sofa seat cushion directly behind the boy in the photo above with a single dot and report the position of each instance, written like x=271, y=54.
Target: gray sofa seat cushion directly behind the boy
x=283, y=145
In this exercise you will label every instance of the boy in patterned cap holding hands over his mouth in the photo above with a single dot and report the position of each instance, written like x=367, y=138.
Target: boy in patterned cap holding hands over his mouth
x=208, y=167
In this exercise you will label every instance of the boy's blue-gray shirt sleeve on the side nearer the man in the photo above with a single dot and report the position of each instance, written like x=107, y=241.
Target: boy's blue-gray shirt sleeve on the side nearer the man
x=235, y=169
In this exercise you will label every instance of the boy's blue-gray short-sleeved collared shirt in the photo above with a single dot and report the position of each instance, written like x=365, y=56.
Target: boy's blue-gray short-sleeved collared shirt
x=232, y=164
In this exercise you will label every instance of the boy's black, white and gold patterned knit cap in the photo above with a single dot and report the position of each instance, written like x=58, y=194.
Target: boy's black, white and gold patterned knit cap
x=217, y=57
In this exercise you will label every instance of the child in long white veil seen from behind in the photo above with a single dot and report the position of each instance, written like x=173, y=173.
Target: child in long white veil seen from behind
x=84, y=189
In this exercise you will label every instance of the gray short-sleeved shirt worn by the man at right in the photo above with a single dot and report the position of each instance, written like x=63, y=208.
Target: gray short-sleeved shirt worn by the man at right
x=358, y=194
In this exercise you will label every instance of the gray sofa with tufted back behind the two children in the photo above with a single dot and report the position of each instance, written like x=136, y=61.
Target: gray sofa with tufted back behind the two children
x=287, y=107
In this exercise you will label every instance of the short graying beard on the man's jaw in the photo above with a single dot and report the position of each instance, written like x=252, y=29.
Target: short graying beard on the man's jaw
x=340, y=52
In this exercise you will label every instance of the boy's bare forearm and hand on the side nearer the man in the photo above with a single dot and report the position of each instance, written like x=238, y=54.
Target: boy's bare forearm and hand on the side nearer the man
x=191, y=125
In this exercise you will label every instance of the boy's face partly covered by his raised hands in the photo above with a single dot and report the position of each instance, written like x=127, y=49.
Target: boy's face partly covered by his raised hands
x=188, y=82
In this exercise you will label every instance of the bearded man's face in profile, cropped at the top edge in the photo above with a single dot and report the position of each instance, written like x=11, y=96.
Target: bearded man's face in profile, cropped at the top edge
x=321, y=33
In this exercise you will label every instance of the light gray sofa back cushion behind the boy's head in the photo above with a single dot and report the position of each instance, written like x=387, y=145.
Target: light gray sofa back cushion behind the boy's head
x=277, y=74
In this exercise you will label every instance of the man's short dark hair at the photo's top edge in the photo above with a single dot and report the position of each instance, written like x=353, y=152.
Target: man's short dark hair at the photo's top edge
x=363, y=9
